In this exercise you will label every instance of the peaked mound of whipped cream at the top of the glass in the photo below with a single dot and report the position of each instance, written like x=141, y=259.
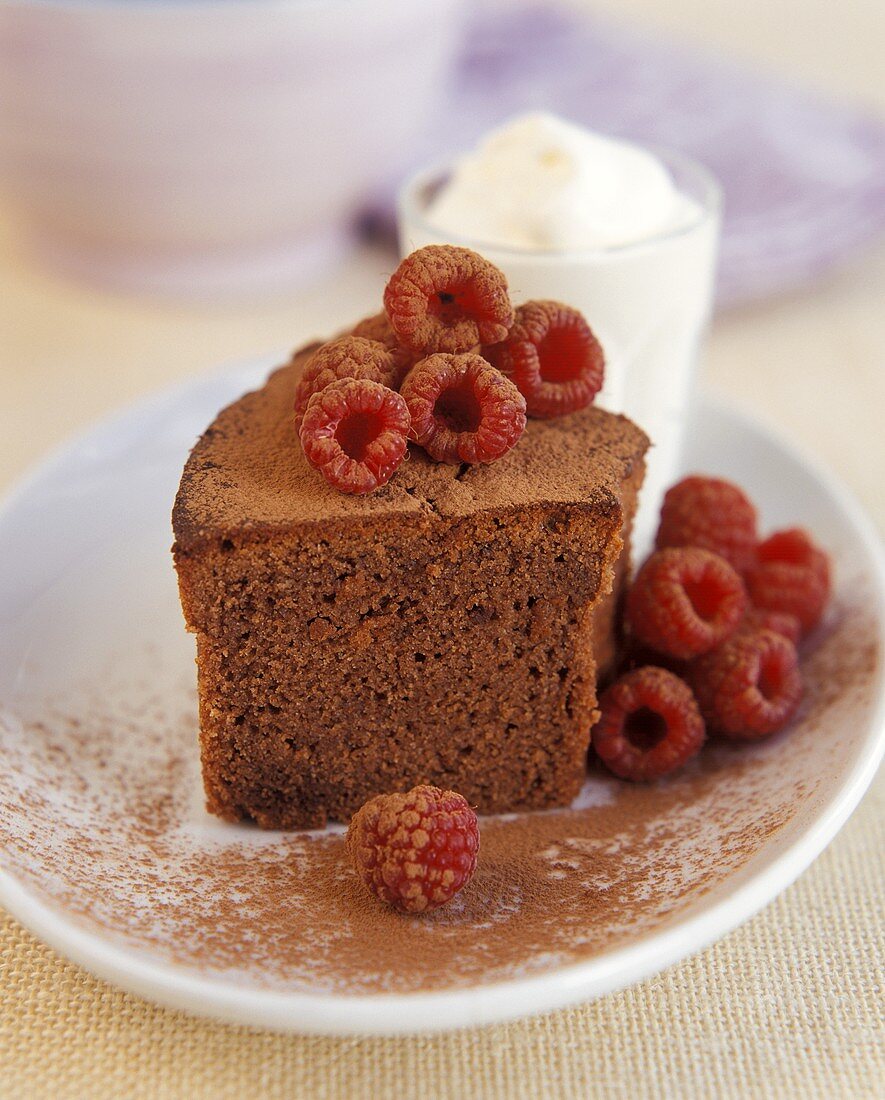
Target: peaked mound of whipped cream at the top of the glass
x=544, y=184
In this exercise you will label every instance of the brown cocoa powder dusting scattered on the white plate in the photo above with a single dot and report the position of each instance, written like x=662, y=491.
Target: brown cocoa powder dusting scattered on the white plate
x=101, y=815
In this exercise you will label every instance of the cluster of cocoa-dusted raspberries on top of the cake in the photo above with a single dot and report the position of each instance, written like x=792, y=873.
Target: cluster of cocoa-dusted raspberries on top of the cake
x=449, y=365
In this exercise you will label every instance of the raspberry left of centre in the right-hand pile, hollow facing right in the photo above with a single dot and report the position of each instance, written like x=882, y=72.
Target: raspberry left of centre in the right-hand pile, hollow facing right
x=685, y=601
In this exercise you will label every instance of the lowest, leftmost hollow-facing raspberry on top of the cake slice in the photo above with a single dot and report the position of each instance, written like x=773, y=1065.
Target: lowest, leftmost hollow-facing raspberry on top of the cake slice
x=356, y=433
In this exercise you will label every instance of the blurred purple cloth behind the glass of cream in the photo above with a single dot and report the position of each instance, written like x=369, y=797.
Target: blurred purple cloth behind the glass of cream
x=804, y=180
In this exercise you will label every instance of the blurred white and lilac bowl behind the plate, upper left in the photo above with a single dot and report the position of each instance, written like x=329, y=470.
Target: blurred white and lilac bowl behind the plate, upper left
x=200, y=146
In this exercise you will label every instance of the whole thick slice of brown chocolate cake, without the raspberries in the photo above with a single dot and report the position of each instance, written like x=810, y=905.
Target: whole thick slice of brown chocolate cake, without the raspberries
x=446, y=630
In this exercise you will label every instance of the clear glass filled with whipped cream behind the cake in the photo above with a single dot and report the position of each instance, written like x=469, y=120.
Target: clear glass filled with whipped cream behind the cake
x=627, y=236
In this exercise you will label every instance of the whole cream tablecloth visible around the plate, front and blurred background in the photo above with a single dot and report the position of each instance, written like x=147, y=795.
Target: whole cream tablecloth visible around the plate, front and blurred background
x=791, y=1005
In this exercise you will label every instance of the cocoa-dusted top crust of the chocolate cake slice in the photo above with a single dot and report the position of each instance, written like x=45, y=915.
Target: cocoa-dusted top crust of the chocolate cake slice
x=248, y=476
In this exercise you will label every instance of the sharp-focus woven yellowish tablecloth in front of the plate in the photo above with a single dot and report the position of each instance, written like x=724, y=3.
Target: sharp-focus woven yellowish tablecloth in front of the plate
x=791, y=1005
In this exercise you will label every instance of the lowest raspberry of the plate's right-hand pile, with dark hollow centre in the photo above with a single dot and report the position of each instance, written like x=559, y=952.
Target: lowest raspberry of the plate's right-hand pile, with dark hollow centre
x=650, y=724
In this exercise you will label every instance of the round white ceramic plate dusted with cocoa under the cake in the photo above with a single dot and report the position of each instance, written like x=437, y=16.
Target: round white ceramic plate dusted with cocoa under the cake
x=107, y=853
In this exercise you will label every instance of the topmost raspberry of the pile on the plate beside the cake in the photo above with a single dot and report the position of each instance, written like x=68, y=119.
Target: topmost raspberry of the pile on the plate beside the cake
x=713, y=514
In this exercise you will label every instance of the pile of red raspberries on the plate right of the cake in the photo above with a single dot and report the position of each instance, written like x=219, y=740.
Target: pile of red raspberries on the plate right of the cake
x=714, y=621
